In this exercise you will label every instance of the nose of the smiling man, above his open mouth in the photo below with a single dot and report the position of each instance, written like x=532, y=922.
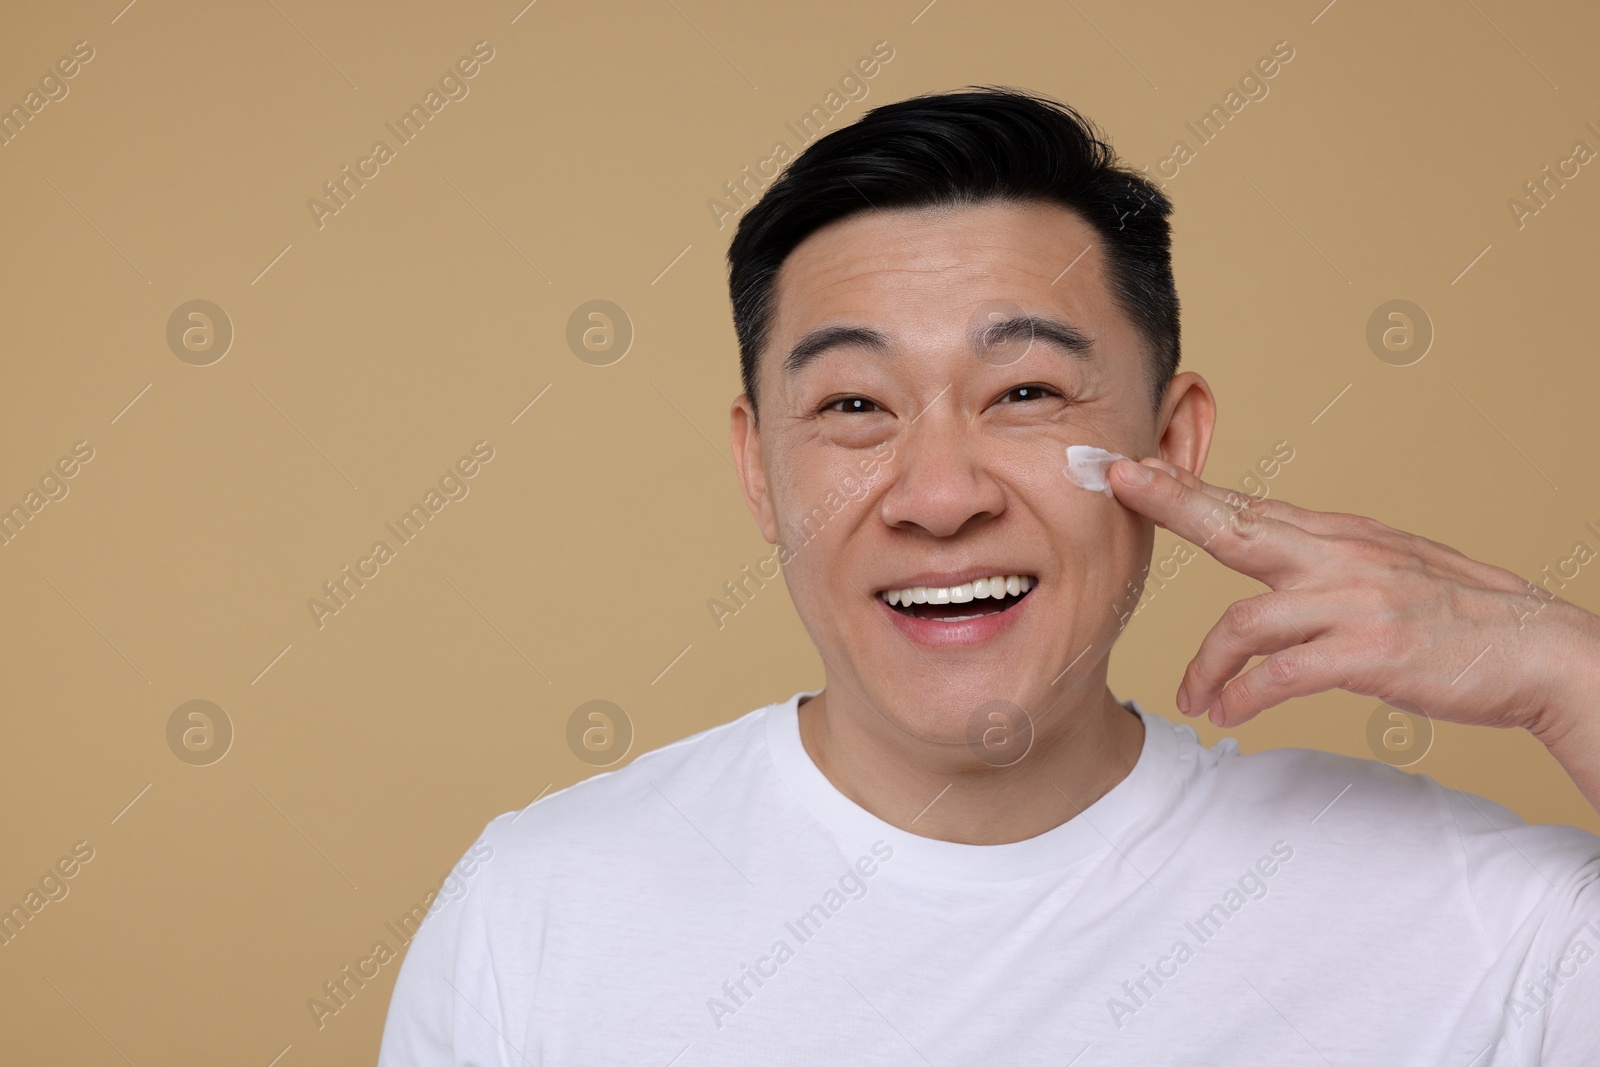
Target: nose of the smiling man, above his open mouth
x=942, y=482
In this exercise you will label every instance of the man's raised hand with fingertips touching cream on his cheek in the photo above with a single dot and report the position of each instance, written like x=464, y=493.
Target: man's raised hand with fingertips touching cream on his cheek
x=1358, y=605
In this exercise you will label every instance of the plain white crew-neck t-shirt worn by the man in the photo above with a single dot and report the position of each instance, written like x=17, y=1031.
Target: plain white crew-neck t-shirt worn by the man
x=719, y=901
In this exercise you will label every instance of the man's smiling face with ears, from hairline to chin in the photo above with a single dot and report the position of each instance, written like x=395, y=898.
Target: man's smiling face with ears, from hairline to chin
x=924, y=377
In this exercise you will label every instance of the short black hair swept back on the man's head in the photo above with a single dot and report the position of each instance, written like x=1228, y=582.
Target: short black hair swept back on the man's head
x=964, y=148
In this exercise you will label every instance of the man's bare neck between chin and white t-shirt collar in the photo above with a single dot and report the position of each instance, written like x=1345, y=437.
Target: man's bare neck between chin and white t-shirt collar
x=1082, y=748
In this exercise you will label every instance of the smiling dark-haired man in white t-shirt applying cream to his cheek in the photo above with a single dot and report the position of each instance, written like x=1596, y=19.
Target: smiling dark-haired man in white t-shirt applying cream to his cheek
x=966, y=849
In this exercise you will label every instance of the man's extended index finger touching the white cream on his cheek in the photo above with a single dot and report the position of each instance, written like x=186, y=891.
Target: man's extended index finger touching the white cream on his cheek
x=1218, y=521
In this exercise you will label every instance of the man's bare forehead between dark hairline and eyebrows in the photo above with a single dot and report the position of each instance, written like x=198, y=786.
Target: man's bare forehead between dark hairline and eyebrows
x=934, y=266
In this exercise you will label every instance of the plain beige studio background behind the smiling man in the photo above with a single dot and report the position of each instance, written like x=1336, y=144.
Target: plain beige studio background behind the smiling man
x=375, y=351
